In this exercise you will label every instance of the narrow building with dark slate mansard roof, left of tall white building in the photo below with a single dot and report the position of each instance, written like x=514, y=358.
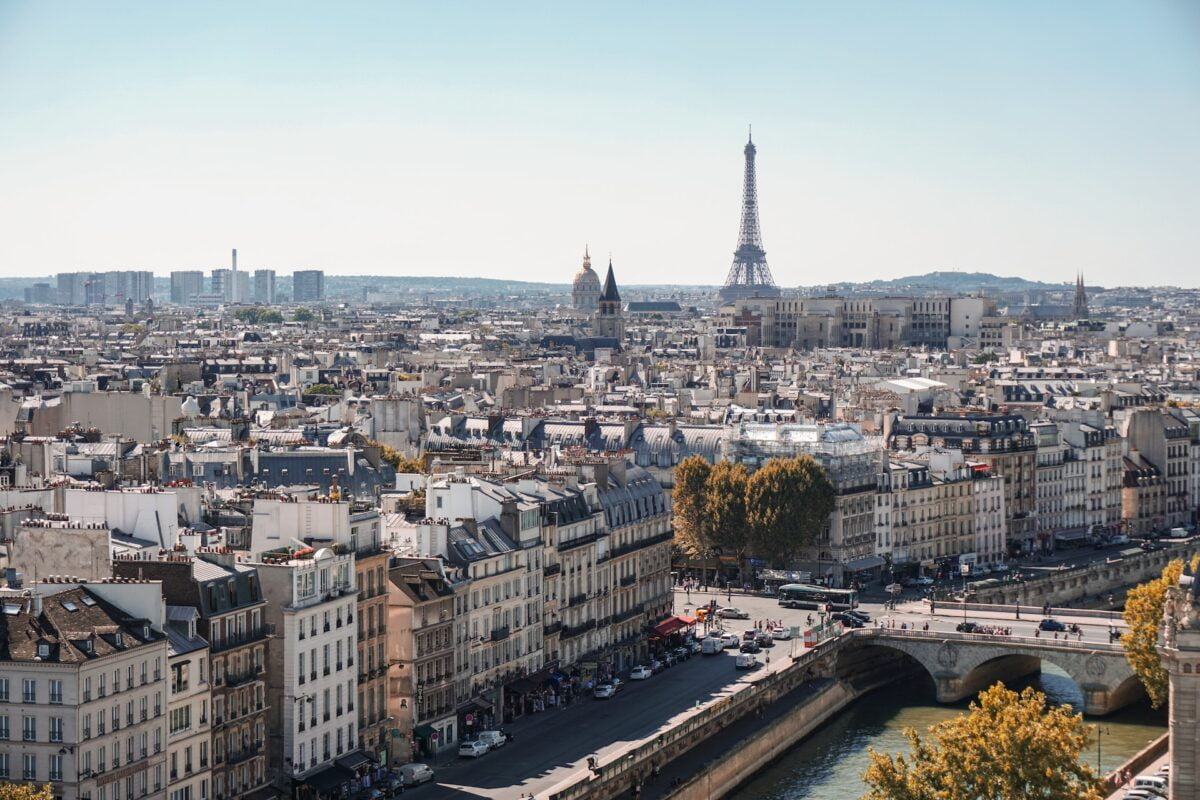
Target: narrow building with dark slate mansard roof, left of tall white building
x=229, y=598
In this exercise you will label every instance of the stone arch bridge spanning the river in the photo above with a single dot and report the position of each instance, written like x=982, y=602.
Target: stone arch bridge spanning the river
x=962, y=665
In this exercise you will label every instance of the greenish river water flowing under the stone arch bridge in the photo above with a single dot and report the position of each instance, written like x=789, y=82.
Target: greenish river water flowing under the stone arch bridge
x=829, y=766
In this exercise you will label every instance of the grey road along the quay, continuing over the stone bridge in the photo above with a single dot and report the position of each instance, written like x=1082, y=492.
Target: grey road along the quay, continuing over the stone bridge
x=550, y=748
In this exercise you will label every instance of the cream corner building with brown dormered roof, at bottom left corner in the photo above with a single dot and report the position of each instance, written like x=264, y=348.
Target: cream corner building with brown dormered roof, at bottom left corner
x=83, y=690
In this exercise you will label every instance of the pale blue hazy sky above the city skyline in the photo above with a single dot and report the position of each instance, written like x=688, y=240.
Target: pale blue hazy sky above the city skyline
x=497, y=140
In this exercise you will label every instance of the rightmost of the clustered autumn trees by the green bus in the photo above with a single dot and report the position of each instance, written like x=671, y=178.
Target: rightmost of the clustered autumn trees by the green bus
x=788, y=504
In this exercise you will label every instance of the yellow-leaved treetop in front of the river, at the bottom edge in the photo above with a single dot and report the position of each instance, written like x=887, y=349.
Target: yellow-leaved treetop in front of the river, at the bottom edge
x=1007, y=747
